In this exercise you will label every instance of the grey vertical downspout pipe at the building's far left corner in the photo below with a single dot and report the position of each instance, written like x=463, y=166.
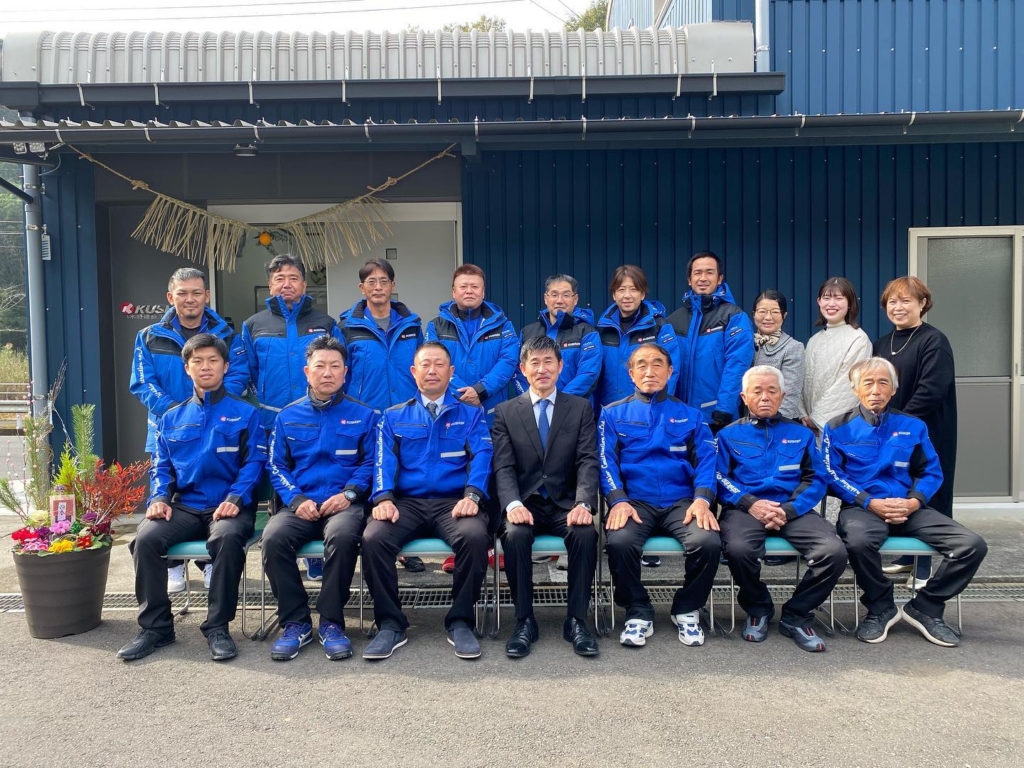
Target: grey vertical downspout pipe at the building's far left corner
x=36, y=293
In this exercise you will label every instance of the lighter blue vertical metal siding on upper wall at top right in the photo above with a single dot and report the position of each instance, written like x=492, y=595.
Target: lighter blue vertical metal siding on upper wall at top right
x=892, y=56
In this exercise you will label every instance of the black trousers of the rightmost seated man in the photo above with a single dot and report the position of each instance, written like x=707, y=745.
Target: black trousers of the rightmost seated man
x=864, y=534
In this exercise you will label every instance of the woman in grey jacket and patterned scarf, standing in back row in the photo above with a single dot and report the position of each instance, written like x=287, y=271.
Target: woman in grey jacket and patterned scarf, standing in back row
x=776, y=348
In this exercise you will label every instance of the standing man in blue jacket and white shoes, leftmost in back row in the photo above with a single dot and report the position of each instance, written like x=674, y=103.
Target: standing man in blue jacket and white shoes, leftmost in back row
x=159, y=379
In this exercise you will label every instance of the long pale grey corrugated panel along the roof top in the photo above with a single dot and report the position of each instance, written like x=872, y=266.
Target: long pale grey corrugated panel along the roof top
x=62, y=58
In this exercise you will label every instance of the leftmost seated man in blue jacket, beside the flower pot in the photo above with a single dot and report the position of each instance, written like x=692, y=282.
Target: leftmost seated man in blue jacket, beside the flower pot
x=209, y=457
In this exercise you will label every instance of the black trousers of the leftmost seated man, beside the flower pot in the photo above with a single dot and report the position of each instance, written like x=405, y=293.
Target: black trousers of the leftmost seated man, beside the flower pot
x=226, y=542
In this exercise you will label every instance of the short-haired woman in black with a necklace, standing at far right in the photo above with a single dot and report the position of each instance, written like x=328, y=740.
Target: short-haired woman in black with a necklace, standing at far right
x=924, y=363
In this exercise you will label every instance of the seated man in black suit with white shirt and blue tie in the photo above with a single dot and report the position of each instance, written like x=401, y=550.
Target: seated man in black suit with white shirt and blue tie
x=546, y=475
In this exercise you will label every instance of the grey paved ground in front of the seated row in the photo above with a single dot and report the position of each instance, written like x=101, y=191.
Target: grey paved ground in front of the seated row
x=903, y=704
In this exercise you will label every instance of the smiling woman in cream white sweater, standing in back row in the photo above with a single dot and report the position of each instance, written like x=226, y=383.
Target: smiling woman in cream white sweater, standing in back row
x=831, y=355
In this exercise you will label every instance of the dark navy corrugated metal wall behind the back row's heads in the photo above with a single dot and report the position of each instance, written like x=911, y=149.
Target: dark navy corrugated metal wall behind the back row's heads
x=785, y=219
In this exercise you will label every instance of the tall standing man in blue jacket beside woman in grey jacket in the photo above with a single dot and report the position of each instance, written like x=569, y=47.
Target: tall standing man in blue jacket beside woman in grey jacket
x=716, y=343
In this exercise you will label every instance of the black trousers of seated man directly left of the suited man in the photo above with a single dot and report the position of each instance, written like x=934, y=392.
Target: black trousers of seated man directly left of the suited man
x=468, y=538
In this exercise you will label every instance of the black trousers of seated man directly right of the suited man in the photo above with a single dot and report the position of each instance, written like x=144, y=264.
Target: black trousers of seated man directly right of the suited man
x=626, y=546
